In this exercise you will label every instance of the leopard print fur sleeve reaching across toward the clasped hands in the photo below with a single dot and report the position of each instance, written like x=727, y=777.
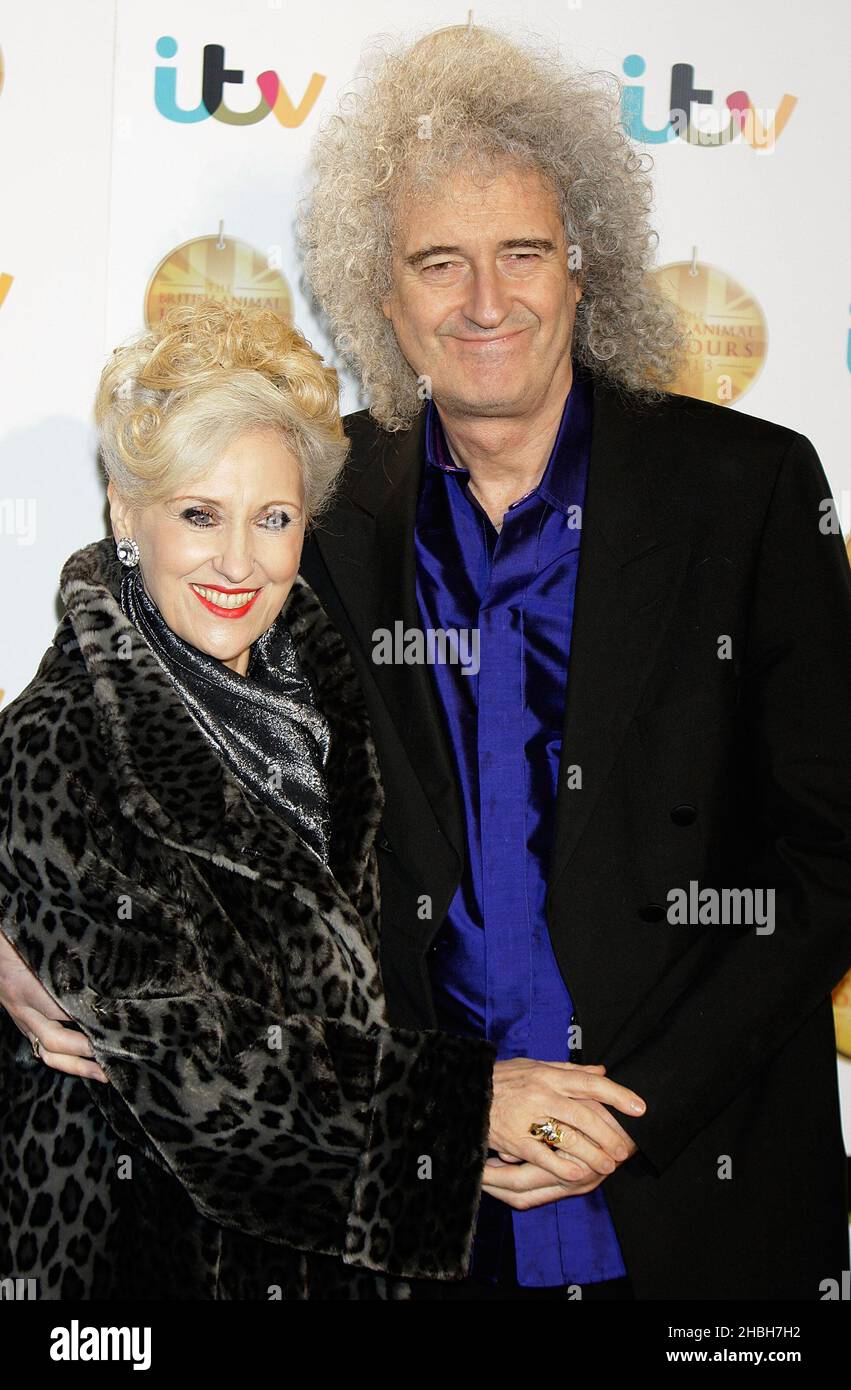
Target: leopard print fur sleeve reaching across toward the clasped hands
x=366, y=1145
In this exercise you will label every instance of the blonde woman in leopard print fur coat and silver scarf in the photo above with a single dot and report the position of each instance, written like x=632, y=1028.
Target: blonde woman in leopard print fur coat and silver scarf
x=190, y=804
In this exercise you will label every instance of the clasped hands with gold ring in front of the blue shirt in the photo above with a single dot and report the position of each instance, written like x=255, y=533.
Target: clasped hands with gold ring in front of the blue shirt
x=530, y=1174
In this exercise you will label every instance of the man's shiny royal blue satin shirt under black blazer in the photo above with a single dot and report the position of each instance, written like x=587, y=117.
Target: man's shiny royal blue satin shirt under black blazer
x=494, y=972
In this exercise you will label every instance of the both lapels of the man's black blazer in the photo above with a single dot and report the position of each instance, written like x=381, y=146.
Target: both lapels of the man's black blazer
x=632, y=564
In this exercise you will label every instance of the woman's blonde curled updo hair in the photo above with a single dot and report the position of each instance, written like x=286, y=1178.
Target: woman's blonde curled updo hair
x=172, y=400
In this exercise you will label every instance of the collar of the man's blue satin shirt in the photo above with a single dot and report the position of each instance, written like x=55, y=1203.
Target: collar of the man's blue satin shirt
x=569, y=452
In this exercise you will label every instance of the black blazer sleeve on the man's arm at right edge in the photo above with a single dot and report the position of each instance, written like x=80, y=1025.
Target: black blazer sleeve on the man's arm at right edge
x=797, y=700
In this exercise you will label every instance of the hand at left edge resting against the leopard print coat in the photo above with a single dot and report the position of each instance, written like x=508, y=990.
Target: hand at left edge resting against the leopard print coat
x=38, y=1017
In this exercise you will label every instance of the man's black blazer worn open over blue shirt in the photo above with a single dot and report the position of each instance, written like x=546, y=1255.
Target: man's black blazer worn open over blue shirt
x=710, y=712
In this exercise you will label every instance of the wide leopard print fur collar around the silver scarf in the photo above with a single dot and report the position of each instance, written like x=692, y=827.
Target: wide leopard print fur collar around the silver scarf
x=194, y=801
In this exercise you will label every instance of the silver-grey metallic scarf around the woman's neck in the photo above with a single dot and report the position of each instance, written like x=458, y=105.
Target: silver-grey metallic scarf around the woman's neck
x=265, y=725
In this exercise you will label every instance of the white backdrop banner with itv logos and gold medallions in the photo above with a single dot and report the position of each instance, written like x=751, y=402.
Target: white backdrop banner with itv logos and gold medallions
x=123, y=191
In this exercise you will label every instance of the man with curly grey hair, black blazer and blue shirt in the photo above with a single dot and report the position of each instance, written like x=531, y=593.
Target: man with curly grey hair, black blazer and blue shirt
x=643, y=705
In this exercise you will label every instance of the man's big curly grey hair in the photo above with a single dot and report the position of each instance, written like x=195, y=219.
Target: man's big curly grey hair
x=490, y=104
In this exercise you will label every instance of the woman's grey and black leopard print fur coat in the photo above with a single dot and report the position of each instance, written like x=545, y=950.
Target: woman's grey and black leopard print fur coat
x=266, y=1132
